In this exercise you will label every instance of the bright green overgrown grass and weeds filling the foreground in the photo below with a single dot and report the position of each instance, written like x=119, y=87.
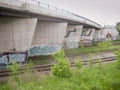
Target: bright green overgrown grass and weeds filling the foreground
x=91, y=77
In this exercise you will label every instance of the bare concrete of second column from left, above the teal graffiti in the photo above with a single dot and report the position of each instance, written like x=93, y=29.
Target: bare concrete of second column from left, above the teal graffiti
x=49, y=33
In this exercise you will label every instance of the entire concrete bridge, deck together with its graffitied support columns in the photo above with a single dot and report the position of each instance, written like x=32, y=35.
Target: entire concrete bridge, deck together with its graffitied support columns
x=38, y=27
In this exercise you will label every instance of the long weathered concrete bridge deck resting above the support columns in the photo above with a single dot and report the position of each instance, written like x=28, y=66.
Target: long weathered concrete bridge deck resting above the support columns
x=37, y=9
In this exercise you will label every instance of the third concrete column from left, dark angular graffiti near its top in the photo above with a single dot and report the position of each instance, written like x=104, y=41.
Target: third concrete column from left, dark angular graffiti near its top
x=73, y=34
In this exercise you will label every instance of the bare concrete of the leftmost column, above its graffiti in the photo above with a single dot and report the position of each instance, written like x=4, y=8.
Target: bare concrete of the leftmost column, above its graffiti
x=16, y=33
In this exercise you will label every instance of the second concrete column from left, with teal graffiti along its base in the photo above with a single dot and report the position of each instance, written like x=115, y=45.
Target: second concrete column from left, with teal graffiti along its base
x=48, y=38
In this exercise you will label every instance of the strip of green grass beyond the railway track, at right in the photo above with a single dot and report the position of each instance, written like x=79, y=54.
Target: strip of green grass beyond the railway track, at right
x=102, y=46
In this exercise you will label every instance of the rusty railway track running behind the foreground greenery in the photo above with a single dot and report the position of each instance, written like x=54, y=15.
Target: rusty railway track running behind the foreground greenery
x=40, y=68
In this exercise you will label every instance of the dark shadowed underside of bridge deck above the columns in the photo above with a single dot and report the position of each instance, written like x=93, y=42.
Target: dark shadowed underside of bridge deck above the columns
x=23, y=14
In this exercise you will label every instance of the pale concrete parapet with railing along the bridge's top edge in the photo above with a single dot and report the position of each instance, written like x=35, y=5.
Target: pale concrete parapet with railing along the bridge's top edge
x=41, y=4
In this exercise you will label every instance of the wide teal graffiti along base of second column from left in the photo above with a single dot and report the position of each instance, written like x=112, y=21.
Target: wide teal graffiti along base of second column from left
x=44, y=50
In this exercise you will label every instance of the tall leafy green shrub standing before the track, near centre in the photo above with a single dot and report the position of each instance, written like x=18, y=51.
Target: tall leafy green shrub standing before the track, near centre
x=62, y=68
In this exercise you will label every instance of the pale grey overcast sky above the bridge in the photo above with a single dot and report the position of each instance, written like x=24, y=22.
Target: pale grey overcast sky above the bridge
x=101, y=11
